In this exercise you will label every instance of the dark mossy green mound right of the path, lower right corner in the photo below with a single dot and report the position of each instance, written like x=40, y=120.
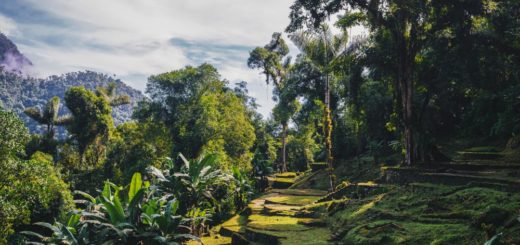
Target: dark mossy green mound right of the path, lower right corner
x=424, y=214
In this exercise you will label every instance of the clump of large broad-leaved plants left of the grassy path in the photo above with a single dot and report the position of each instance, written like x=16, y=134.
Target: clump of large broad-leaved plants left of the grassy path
x=138, y=217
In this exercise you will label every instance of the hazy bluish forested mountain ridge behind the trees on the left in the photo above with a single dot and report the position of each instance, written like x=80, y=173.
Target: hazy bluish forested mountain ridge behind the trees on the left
x=19, y=91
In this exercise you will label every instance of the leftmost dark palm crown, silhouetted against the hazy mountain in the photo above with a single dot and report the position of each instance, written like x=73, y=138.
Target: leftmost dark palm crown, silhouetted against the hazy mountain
x=49, y=116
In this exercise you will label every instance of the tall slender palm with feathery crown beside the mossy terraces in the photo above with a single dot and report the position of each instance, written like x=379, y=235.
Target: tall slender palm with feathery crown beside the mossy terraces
x=322, y=48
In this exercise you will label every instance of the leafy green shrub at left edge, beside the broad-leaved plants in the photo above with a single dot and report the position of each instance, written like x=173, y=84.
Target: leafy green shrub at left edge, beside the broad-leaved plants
x=31, y=191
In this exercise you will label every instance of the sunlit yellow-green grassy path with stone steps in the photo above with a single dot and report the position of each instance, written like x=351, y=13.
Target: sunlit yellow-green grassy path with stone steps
x=277, y=217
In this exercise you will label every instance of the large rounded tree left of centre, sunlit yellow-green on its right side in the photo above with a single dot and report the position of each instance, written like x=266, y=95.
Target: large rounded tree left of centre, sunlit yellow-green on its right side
x=201, y=114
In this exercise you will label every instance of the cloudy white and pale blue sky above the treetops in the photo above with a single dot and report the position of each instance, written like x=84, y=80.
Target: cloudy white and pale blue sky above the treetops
x=133, y=39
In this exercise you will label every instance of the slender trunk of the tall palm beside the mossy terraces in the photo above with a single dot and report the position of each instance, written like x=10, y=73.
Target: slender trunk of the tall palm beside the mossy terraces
x=328, y=135
